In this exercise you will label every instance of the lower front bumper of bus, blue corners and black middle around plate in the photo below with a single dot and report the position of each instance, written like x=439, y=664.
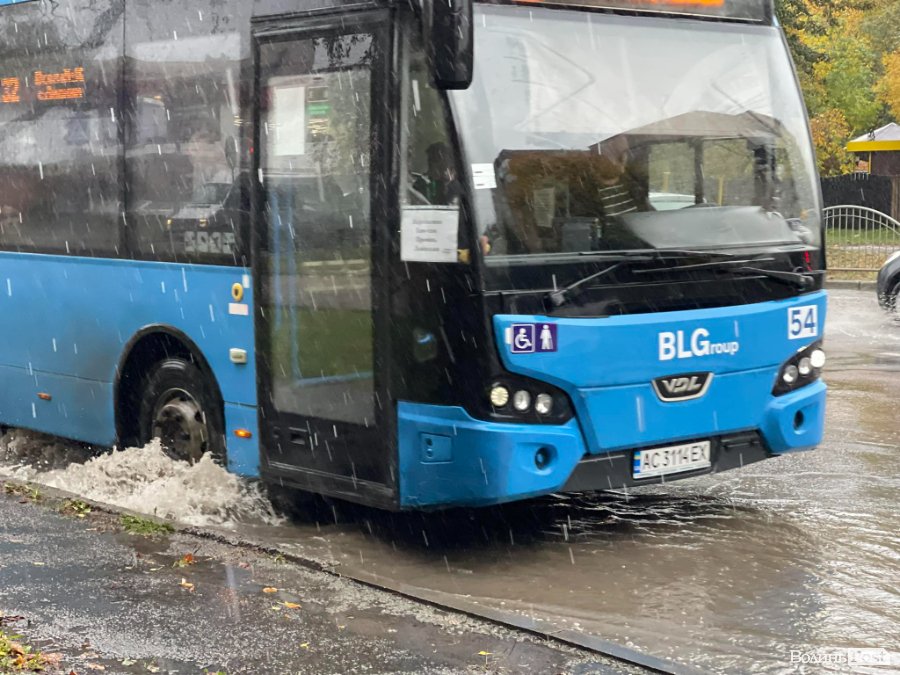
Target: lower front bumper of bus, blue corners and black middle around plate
x=448, y=458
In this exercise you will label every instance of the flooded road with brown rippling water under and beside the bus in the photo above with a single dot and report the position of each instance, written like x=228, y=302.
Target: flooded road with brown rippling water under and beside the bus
x=728, y=573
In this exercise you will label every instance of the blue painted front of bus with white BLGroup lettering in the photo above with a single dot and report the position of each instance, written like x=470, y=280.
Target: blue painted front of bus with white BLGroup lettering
x=606, y=366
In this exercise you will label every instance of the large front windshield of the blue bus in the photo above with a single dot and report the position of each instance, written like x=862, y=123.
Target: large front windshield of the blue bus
x=592, y=132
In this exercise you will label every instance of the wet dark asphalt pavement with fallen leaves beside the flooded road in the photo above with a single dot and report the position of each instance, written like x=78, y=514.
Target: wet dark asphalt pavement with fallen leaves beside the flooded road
x=113, y=602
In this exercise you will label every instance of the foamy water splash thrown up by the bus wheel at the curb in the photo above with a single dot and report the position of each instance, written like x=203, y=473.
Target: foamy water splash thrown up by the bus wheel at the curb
x=140, y=479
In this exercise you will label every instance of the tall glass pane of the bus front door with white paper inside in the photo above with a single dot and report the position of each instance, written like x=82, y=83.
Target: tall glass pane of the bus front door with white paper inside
x=315, y=158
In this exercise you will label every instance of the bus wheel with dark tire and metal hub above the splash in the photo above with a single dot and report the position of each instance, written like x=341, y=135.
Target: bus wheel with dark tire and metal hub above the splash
x=179, y=406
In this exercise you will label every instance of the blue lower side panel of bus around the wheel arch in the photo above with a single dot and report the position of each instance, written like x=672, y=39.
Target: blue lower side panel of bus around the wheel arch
x=70, y=319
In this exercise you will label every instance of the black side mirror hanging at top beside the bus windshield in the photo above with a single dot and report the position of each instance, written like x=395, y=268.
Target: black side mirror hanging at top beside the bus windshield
x=452, y=48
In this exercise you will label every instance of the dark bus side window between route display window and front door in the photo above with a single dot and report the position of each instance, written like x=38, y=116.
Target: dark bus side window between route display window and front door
x=186, y=149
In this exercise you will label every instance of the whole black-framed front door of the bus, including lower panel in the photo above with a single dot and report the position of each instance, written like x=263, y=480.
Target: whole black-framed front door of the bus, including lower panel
x=321, y=413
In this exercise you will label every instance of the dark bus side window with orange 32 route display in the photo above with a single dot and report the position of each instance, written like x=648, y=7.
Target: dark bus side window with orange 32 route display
x=60, y=178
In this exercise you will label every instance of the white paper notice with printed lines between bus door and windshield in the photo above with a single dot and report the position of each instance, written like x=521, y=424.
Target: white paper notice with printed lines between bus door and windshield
x=429, y=234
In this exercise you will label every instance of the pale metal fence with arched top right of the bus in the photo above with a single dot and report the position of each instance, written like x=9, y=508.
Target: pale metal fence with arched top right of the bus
x=859, y=239
